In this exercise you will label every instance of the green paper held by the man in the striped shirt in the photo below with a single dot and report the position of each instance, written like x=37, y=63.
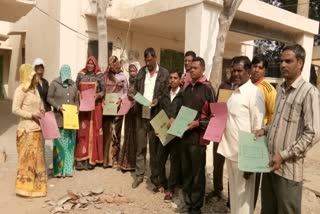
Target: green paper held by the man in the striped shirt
x=253, y=154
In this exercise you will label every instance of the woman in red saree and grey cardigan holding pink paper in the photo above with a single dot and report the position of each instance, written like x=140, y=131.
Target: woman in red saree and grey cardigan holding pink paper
x=89, y=148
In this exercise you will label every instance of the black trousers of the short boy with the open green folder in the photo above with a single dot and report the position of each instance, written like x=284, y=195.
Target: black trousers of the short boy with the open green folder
x=172, y=149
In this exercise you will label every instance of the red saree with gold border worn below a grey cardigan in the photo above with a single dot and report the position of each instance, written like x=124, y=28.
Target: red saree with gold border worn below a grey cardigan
x=90, y=144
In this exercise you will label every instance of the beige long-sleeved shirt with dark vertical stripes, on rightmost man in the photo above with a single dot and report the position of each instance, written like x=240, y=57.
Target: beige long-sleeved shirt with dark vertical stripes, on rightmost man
x=295, y=127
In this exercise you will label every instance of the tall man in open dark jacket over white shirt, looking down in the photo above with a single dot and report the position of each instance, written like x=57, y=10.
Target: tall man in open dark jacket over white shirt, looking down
x=151, y=82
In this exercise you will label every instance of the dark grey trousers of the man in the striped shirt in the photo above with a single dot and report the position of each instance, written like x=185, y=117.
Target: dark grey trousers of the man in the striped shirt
x=280, y=195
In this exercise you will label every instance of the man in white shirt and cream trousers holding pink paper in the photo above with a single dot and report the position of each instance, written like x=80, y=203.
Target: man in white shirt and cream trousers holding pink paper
x=246, y=109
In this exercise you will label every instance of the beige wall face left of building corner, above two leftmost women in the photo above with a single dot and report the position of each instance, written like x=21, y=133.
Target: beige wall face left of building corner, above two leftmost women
x=43, y=36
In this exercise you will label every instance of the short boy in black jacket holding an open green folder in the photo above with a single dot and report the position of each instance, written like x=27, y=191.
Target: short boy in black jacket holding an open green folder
x=170, y=102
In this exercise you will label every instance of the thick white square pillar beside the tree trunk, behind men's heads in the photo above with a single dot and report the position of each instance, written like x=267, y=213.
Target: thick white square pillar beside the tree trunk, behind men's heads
x=201, y=29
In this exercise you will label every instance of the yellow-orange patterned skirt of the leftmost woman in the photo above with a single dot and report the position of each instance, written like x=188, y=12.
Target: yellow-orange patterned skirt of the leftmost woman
x=31, y=178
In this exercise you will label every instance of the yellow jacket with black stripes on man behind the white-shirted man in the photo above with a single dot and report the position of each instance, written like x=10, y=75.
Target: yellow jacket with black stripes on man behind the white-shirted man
x=269, y=94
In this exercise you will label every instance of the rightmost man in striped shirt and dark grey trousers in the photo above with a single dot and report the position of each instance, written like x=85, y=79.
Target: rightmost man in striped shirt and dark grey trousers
x=295, y=128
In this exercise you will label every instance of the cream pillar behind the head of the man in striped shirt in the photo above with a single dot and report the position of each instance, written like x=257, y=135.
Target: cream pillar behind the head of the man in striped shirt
x=306, y=41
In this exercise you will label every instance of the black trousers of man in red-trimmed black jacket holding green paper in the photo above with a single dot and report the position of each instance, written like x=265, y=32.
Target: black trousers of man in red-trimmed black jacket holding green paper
x=193, y=161
